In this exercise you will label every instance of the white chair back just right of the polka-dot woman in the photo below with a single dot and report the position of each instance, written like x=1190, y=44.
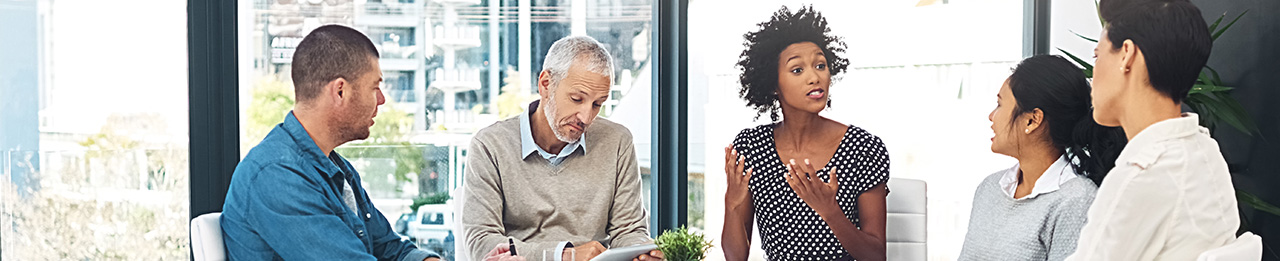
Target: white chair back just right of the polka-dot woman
x=906, y=228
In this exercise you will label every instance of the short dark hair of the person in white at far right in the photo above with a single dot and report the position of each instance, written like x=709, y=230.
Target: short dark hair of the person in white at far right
x=1172, y=36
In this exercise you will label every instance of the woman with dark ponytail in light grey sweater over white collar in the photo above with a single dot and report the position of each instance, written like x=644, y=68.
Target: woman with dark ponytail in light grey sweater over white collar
x=1036, y=209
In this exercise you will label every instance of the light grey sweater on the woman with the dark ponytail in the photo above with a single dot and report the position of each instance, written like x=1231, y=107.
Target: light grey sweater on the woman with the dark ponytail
x=1041, y=228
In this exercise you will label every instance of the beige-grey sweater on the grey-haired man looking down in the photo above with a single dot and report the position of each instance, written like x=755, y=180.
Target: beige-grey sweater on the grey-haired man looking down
x=591, y=196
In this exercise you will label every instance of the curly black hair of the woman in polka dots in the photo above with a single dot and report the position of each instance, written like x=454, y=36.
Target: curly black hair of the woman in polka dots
x=760, y=62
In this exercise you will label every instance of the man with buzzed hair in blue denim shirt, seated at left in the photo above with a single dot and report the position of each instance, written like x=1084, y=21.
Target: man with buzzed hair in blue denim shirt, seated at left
x=294, y=198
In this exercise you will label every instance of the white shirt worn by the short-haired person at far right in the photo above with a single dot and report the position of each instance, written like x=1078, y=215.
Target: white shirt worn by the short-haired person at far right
x=1169, y=198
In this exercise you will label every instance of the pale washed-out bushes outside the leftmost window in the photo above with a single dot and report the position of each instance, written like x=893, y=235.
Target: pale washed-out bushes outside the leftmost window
x=124, y=198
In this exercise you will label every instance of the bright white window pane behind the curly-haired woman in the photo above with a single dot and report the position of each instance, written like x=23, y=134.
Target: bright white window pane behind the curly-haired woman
x=924, y=77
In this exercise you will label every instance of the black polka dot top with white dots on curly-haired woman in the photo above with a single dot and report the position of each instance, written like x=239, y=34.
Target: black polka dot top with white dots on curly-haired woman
x=792, y=230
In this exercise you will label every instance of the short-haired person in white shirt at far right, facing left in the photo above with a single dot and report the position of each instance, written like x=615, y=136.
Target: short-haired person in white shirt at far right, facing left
x=1171, y=196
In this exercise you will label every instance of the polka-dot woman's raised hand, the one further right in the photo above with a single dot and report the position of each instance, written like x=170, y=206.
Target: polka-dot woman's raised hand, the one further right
x=821, y=196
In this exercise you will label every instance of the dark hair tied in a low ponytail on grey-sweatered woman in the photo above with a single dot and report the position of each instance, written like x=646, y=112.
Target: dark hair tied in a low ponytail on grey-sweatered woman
x=1062, y=91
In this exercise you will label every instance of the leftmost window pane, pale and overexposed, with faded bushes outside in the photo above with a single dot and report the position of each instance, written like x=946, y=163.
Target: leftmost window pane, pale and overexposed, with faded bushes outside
x=94, y=131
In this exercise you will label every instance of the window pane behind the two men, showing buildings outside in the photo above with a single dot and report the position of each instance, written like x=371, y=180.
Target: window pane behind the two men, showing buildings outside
x=450, y=68
